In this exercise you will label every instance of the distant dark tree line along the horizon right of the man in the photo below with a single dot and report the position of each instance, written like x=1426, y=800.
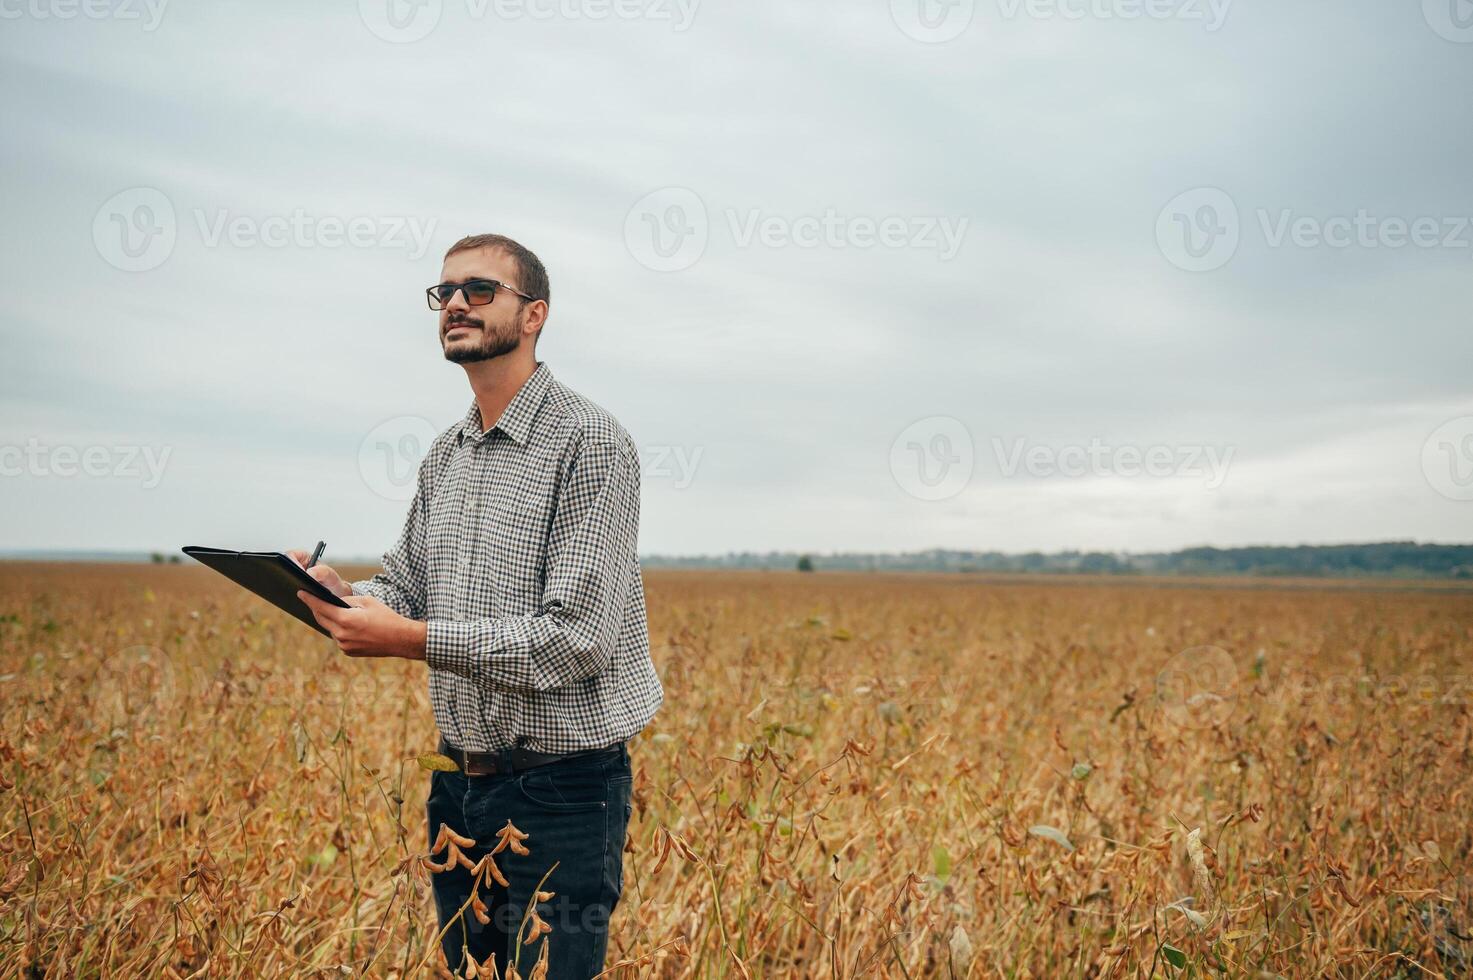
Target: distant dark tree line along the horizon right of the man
x=1388, y=559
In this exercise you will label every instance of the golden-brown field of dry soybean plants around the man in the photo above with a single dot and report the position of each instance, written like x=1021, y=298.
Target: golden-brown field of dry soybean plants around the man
x=852, y=776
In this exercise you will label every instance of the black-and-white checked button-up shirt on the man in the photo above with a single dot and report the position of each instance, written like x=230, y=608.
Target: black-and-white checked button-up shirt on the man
x=521, y=553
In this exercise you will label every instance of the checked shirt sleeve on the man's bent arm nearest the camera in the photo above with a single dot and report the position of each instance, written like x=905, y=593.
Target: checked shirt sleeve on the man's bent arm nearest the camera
x=591, y=562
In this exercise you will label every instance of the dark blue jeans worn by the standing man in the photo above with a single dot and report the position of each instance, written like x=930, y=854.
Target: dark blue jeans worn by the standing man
x=577, y=813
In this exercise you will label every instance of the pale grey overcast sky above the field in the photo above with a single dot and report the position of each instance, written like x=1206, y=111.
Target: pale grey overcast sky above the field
x=1119, y=275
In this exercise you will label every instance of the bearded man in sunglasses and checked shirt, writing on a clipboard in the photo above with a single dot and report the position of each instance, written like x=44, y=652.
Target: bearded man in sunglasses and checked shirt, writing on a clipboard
x=516, y=580
